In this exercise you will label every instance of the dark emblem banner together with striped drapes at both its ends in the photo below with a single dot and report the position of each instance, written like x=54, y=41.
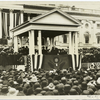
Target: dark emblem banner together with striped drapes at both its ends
x=49, y=62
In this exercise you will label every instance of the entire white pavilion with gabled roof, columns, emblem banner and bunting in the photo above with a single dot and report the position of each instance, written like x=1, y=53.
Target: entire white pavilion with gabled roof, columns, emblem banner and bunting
x=49, y=25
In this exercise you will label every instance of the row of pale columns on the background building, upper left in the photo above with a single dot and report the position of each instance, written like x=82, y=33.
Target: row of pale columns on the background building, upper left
x=11, y=21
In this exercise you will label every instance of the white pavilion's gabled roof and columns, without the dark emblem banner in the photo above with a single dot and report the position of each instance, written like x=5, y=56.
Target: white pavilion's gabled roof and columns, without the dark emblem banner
x=51, y=24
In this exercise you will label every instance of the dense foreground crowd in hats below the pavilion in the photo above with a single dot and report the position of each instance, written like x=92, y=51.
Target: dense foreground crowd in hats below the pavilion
x=54, y=82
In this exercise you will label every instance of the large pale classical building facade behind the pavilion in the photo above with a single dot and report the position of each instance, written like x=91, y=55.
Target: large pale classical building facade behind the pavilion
x=89, y=30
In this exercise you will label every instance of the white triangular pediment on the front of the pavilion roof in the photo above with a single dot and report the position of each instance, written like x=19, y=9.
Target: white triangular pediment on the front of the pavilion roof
x=55, y=17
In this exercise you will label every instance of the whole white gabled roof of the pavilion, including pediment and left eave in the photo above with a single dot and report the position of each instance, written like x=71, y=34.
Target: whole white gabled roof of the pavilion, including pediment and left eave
x=54, y=20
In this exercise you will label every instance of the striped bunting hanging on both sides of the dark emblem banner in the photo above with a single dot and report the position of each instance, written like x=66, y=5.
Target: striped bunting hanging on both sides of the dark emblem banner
x=37, y=61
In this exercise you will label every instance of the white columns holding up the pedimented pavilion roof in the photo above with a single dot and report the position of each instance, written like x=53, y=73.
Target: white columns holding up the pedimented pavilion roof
x=73, y=47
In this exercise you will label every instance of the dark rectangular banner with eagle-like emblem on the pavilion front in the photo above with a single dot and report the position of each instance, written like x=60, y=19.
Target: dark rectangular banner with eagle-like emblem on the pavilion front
x=56, y=62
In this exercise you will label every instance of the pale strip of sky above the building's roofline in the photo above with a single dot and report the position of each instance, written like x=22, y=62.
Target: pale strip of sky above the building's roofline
x=79, y=4
